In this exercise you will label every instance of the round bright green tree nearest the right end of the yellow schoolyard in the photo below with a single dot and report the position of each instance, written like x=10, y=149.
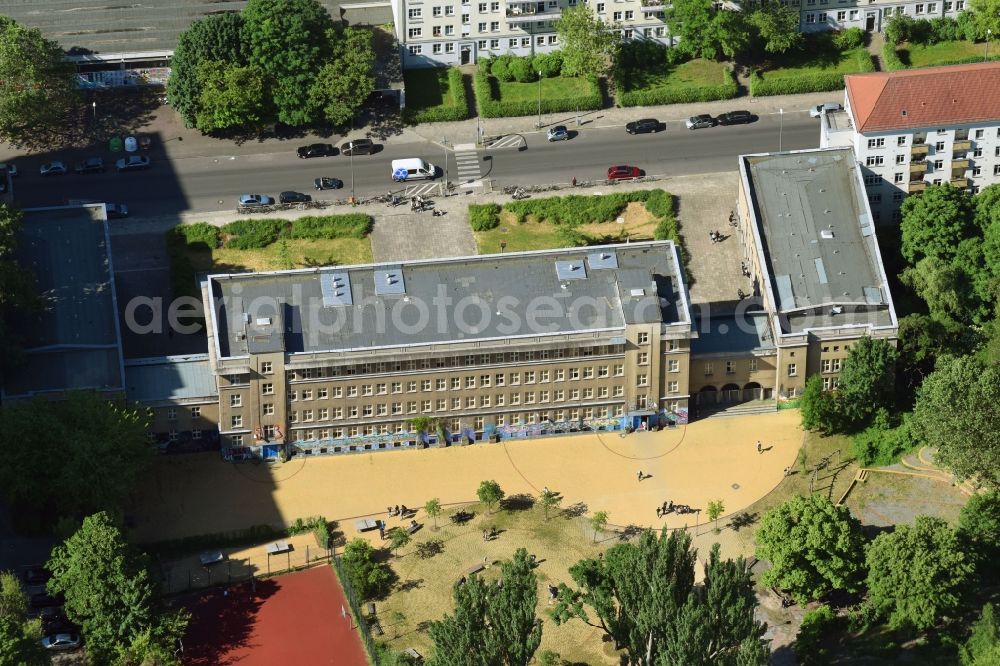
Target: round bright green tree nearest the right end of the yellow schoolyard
x=814, y=547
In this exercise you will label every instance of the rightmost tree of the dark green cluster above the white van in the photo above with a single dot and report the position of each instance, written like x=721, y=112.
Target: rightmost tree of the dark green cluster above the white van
x=343, y=85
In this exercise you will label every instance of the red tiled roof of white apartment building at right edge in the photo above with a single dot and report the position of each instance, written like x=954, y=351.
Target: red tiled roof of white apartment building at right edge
x=930, y=97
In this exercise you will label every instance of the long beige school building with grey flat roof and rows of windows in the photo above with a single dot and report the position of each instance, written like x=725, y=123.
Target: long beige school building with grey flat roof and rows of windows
x=343, y=359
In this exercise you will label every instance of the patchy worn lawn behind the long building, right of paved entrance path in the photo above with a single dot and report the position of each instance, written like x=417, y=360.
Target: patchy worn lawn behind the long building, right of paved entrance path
x=534, y=234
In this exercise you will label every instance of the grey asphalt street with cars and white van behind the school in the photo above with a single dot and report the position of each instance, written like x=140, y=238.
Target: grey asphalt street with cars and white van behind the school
x=213, y=183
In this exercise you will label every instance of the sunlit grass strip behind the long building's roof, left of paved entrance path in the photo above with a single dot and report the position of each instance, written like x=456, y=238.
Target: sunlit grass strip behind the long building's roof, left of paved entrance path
x=303, y=254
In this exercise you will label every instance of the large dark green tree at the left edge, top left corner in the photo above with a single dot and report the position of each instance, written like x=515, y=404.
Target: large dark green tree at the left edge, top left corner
x=38, y=91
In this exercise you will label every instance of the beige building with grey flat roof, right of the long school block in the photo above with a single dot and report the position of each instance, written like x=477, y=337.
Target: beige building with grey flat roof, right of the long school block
x=808, y=239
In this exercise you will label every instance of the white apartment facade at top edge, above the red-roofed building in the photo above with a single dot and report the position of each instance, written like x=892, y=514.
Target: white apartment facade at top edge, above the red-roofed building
x=870, y=16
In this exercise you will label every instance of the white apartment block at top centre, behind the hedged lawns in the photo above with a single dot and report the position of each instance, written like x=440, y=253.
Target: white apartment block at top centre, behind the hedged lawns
x=437, y=34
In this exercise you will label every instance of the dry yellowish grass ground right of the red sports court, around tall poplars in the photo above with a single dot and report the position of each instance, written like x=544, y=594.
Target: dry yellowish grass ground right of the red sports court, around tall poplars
x=424, y=591
